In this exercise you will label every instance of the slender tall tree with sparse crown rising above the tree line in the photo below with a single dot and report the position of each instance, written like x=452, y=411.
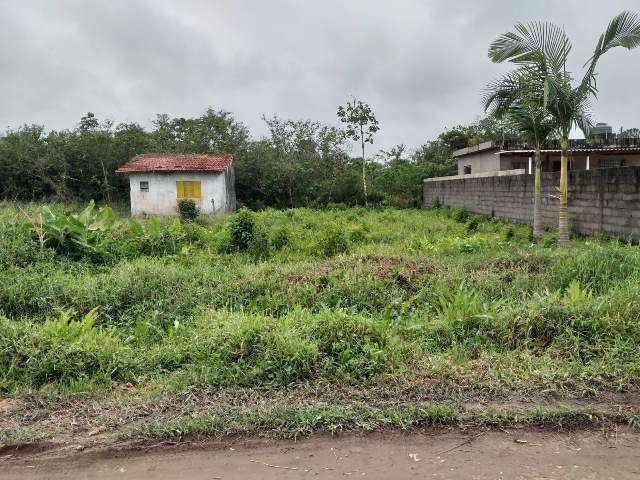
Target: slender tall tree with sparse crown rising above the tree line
x=361, y=125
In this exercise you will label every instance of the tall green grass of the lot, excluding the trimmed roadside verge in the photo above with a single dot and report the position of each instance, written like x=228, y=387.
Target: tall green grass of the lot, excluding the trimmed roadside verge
x=279, y=298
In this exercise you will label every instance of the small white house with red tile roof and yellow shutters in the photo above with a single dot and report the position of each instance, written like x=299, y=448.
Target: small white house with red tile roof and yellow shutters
x=158, y=180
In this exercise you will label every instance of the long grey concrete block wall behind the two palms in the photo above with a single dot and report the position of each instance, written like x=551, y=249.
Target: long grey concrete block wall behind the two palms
x=603, y=201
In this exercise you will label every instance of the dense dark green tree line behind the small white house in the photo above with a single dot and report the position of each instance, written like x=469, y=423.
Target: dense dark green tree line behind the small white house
x=298, y=163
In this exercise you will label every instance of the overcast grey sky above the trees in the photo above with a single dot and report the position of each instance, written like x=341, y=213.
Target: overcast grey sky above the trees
x=420, y=64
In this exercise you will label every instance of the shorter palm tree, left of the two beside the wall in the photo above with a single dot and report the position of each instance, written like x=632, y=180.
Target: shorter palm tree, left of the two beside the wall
x=517, y=97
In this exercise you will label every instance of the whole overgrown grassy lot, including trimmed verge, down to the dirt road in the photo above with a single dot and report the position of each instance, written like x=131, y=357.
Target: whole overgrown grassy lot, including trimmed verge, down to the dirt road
x=288, y=322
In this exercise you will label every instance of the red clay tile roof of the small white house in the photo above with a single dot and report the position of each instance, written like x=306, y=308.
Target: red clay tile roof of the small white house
x=170, y=162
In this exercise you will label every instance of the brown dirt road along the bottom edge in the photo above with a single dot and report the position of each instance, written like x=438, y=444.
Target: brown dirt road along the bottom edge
x=513, y=454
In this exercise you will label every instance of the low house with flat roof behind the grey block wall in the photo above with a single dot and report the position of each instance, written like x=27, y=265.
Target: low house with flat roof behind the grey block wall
x=604, y=150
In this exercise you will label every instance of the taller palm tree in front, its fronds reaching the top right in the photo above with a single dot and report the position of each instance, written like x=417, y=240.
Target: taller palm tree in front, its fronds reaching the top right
x=544, y=47
